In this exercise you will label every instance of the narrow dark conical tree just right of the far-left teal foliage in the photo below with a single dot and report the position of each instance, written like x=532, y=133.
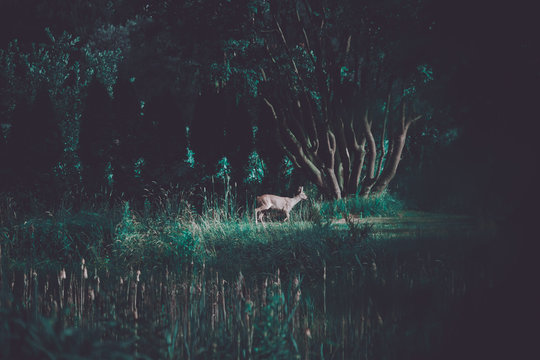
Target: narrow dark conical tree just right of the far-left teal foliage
x=95, y=137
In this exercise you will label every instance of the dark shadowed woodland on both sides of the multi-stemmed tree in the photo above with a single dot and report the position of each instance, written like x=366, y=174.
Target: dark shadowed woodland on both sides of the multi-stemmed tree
x=485, y=56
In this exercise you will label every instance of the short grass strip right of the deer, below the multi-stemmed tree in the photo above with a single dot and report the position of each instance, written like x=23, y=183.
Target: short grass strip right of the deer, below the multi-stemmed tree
x=410, y=222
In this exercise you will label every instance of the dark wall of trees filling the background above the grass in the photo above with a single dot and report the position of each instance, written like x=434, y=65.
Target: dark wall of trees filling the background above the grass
x=351, y=93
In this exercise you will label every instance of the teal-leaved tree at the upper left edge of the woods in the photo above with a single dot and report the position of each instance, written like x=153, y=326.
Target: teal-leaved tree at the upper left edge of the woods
x=66, y=66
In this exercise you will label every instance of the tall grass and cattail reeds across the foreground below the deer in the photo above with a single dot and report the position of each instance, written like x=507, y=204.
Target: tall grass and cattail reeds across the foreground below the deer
x=181, y=285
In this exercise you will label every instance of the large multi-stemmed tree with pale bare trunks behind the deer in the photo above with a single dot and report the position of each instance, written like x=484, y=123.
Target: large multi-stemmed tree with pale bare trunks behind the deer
x=341, y=79
